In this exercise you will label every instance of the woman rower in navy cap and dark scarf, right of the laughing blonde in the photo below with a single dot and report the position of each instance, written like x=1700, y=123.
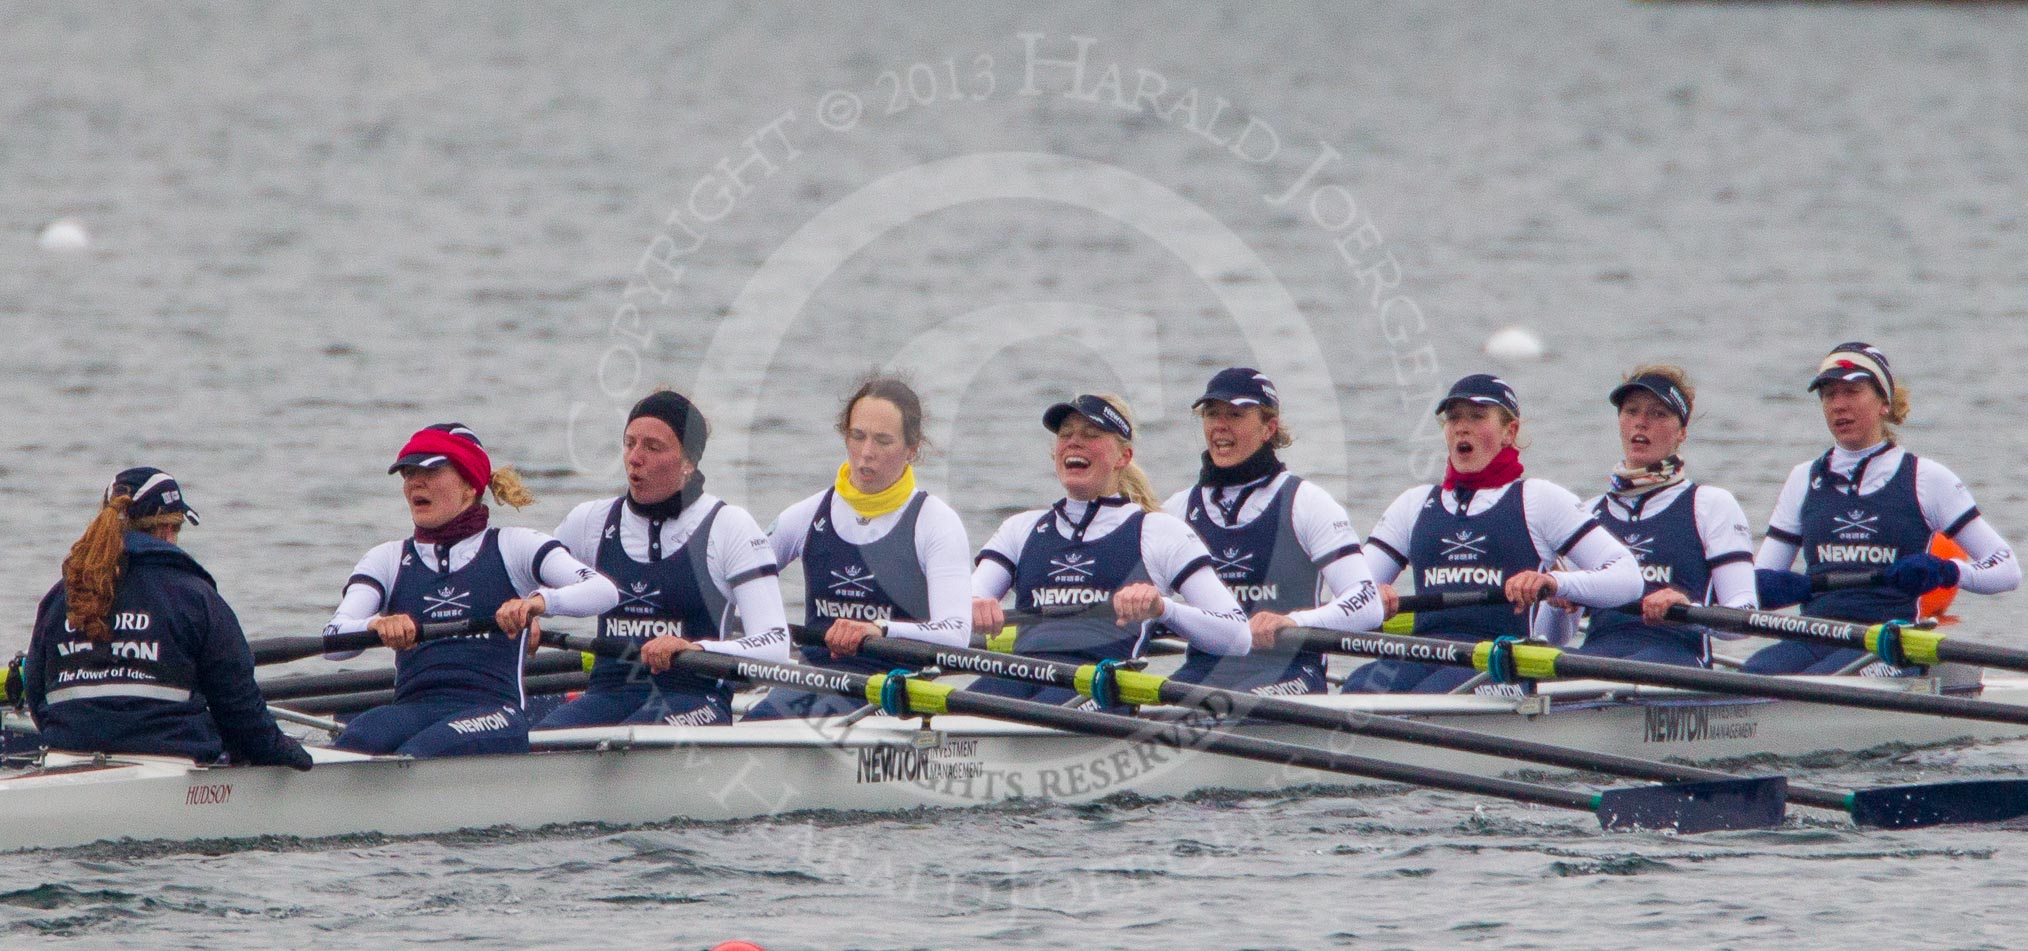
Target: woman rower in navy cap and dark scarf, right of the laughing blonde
x=1279, y=542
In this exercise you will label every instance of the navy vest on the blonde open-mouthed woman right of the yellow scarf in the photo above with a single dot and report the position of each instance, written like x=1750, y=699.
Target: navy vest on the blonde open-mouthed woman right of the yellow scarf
x=1070, y=573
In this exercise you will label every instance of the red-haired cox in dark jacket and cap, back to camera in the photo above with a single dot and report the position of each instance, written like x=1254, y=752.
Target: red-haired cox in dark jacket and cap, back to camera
x=135, y=650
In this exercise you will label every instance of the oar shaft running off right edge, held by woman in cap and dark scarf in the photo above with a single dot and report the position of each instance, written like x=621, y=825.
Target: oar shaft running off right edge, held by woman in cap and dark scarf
x=1548, y=664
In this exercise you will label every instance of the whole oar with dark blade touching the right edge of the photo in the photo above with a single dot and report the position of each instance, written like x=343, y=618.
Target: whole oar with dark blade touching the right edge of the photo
x=1895, y=808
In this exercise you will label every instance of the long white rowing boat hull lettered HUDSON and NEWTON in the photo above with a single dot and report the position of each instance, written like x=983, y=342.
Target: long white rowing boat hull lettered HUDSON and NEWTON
x=879, y=763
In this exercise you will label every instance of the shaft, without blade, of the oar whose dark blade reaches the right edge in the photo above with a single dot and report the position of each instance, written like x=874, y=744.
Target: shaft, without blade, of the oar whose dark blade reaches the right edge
x=1147, y=688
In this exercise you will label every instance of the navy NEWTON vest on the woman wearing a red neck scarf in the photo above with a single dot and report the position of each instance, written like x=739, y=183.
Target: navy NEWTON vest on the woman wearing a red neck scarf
x=1455, y=553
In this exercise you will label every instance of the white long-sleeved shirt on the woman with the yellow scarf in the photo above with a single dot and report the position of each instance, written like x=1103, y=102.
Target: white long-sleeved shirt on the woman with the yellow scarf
x=942, y=551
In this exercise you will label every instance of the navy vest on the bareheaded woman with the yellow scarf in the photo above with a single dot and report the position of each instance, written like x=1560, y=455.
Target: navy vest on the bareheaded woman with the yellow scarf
x=881, y=581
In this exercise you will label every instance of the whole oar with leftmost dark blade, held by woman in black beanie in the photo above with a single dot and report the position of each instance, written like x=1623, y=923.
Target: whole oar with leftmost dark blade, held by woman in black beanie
x=1684, y=808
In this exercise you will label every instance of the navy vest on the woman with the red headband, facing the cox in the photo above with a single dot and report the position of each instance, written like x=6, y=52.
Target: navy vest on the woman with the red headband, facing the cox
x=467, y=668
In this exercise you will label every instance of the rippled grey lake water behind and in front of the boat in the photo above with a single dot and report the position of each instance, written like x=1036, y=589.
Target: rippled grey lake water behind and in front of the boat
x=317, y=228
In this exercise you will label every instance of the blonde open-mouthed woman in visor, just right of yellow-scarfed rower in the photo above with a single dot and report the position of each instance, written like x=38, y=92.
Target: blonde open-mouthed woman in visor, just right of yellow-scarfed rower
x=1104, y=542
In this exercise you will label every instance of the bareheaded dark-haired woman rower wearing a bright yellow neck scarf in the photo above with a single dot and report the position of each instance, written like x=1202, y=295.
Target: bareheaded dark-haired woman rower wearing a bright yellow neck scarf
x=881, y=559
